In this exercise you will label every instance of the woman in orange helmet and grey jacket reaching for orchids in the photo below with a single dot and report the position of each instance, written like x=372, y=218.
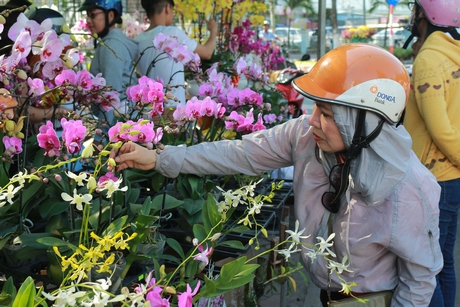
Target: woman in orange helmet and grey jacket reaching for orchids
x=352, y=163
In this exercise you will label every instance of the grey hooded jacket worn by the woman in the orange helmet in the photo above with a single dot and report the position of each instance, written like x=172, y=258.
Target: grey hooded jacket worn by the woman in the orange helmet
x=387, y=225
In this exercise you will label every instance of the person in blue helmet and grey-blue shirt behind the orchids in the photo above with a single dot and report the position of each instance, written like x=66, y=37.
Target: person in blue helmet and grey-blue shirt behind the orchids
x=115, y=57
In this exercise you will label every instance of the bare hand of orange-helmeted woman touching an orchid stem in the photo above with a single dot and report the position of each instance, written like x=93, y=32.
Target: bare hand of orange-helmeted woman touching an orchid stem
x=132, y=155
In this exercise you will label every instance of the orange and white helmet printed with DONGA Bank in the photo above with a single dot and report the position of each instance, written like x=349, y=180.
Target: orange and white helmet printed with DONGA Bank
x=360, y=76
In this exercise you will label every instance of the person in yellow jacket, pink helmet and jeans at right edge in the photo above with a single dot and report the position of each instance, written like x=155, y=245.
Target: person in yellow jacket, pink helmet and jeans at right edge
x=433, y=120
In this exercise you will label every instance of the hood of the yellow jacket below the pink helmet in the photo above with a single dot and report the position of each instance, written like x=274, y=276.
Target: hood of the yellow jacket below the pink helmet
x=444, y=44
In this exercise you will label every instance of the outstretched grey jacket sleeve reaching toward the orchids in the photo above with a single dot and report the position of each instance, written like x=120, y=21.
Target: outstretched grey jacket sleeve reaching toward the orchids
x=255, y=153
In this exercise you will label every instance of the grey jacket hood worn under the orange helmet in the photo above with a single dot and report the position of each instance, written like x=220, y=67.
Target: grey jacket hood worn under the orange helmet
x=381, y=166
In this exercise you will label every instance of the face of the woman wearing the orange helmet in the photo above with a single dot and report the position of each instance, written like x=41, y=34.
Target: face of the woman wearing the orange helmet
x=325, y=131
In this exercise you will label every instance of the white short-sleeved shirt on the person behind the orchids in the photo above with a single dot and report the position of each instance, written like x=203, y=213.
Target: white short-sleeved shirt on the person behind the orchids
x=165, y=67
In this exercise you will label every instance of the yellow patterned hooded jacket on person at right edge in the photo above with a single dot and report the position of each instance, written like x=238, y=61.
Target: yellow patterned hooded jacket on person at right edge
x=433, y=110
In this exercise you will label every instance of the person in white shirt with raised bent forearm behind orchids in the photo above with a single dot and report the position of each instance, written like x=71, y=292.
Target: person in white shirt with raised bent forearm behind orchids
x=161, y=16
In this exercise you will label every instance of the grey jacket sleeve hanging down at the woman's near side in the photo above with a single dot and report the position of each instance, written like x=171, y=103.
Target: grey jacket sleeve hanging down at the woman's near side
x=415, y=242
